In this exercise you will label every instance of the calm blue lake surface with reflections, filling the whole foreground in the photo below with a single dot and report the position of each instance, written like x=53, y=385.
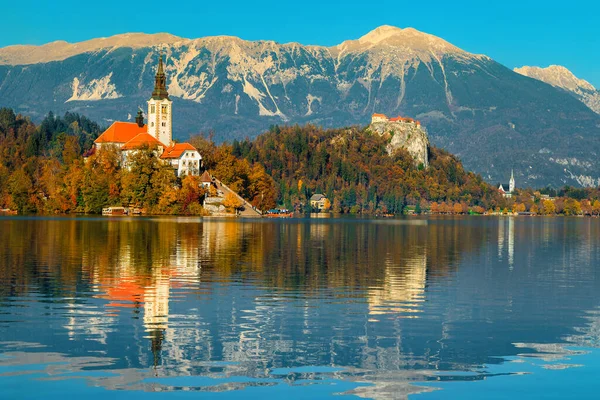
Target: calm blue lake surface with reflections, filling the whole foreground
x=419, y=308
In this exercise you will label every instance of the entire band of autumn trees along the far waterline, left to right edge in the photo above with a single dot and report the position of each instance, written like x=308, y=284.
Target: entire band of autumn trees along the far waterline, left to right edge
x=42, y=170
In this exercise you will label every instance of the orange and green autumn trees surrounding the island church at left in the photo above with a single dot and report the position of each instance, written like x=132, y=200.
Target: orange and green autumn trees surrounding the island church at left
x=42, y=170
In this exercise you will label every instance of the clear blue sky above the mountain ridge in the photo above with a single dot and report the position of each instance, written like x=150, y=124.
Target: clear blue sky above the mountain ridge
x=514, y=33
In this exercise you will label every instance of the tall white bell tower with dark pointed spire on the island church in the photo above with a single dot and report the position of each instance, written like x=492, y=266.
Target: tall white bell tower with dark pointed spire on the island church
x=160, y=109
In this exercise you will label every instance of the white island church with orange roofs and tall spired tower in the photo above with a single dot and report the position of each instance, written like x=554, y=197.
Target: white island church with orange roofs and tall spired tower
x=157, y=133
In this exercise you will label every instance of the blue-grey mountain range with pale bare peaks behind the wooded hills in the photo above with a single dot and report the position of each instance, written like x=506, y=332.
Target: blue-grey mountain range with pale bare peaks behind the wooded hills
x=492, y=117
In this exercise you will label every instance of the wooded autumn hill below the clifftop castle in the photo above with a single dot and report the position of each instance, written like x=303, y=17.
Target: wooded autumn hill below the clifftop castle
x=352, y=167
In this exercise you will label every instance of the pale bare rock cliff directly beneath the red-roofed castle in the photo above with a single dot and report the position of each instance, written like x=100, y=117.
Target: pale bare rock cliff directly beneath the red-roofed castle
x=407, y=135
